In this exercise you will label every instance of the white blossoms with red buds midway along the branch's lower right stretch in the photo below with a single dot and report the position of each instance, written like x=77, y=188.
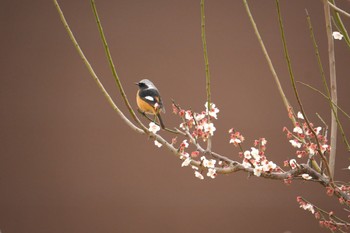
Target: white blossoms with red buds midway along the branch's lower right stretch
x=255, y=158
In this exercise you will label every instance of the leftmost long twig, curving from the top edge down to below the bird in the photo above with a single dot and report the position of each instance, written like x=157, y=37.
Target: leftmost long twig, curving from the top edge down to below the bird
x=92, y=72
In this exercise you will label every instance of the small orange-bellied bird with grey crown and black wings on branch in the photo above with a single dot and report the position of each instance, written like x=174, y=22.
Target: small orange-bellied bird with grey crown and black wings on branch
x=149, y=101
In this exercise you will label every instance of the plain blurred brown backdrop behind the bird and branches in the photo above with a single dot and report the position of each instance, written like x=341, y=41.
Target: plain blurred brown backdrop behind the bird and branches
x=69, y=164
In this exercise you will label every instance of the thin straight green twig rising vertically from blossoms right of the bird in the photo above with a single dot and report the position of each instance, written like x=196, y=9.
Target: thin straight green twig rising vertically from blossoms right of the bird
x=207, y=71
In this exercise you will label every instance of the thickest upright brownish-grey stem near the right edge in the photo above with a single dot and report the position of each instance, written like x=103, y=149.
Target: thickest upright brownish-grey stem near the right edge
x=333, y=82
